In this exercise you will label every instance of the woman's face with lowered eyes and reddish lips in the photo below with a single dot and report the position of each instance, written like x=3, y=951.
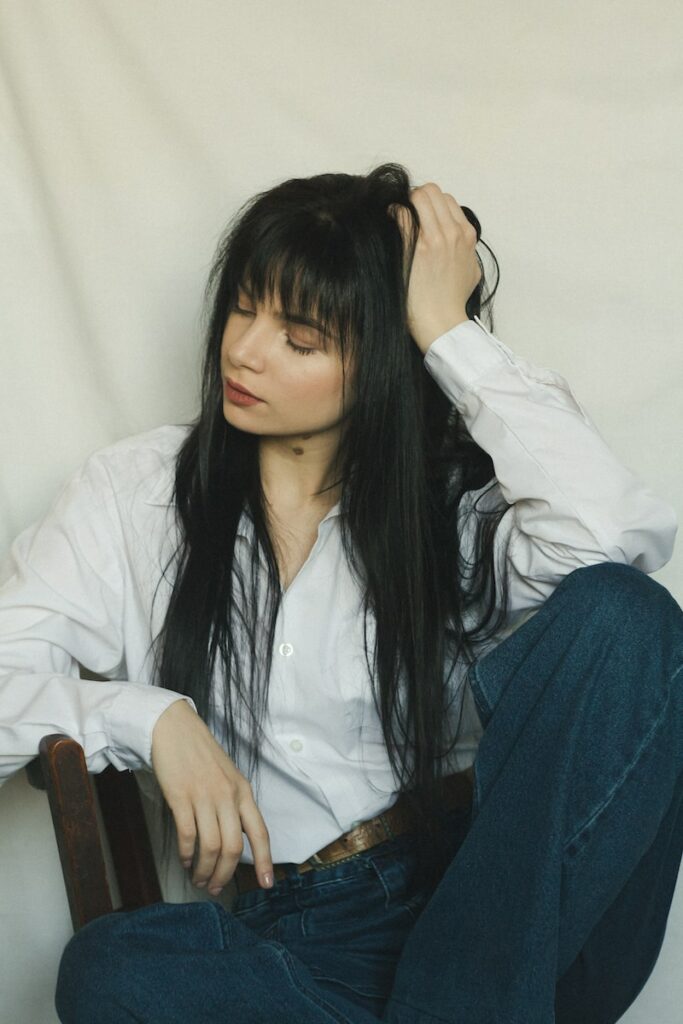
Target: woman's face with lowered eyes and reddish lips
x=289, y=367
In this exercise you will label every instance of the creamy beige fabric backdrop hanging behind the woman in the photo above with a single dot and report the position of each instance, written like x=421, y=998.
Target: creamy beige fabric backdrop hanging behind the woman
x=132, y=131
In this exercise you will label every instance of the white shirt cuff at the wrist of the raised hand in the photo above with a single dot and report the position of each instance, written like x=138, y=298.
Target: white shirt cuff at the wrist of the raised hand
x=459, y=358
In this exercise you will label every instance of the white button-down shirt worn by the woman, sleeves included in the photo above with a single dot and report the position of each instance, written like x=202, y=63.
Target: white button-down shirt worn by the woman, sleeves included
x=79, y=586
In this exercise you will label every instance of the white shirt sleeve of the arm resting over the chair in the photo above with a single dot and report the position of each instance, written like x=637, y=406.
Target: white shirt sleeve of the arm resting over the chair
x=62, y=605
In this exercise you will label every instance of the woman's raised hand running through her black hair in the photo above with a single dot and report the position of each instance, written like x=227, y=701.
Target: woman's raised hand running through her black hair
x=445, y=271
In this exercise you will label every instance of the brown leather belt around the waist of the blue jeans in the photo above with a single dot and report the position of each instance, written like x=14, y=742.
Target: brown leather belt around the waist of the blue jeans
x=396, y=822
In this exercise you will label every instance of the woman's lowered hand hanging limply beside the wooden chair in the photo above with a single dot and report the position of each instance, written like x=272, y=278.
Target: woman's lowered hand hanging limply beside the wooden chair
x=210, y=799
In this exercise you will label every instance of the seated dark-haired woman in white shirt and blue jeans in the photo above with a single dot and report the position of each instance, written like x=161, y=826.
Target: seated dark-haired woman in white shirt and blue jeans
x=327, y=567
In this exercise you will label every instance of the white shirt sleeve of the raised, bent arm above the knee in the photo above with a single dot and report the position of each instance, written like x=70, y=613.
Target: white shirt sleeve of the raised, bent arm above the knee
x=573, y=502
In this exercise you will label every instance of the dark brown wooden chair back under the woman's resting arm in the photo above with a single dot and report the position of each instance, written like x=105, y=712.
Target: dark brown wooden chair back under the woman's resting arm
x=62, y=772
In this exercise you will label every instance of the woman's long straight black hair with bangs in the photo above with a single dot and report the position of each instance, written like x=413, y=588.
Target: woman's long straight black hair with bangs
x=327, y=246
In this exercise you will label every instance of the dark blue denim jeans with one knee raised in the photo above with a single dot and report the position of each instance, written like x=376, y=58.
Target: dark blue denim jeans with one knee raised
x=553, y=908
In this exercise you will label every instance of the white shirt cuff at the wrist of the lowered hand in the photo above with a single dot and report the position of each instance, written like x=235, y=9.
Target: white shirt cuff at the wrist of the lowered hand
x=131, y=722
